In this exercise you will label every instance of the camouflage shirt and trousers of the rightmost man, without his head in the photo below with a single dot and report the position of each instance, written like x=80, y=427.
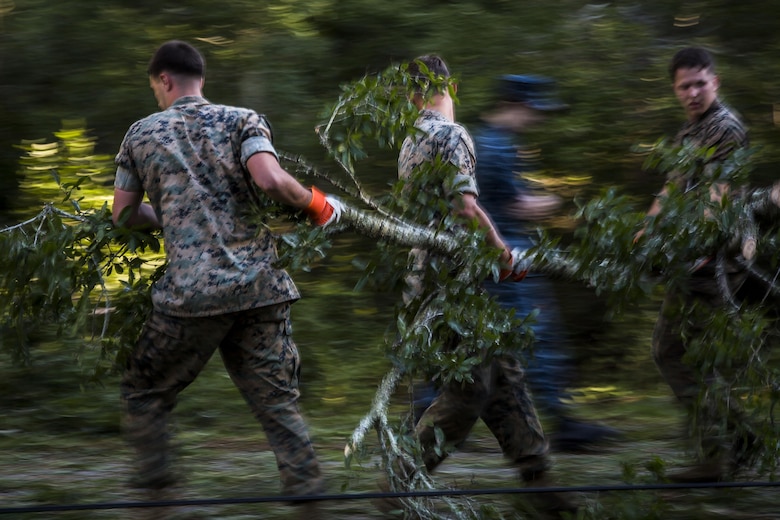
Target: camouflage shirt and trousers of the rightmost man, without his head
x=721, y=129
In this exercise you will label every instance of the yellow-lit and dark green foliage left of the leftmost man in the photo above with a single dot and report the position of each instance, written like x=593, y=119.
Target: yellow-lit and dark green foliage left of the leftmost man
x=69, y=266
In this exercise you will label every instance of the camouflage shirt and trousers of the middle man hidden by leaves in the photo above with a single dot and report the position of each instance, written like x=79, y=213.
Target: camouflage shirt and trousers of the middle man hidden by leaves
x=498, y=394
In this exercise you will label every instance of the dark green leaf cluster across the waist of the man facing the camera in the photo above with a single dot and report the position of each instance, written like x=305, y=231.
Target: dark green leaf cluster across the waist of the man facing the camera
x=608, y=254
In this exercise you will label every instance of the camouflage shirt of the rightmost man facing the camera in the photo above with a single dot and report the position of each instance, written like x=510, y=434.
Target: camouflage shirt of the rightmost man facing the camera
x=717, y=128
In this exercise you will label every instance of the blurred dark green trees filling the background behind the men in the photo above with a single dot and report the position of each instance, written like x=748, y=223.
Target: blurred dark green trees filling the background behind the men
x=82, y=61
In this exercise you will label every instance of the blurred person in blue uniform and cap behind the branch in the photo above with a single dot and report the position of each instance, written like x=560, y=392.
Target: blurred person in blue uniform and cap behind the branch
x=521, y=102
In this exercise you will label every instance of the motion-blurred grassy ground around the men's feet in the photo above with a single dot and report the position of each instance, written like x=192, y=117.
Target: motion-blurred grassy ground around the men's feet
x=92, y=471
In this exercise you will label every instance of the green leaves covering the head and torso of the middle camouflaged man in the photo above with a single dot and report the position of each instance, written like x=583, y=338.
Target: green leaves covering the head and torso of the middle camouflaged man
x=453, y=326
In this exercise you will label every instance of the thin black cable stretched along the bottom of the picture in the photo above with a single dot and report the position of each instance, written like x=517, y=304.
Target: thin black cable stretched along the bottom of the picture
x=368, y=496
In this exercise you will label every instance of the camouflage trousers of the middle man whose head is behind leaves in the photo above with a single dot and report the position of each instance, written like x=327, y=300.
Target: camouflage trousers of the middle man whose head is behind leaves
x=499, y=397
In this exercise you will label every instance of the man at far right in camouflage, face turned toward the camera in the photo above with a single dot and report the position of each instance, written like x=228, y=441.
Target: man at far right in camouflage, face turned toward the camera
x=718, y=128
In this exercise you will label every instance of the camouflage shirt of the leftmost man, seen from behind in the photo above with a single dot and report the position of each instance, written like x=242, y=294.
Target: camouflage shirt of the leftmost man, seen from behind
x=191, y=161
